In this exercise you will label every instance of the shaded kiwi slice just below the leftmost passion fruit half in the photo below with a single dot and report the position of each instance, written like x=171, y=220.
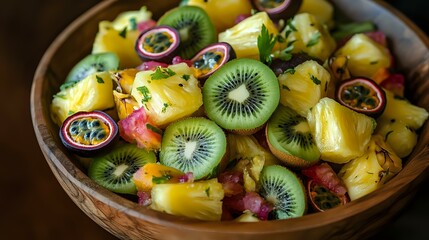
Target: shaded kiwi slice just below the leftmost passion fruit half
x=115, y=170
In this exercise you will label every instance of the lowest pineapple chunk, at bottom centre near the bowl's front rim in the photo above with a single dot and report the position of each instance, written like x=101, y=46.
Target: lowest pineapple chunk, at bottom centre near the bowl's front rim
x=198, y=200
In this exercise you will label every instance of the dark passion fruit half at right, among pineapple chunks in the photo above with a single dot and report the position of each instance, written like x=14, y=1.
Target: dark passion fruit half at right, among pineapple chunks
x=362, y=95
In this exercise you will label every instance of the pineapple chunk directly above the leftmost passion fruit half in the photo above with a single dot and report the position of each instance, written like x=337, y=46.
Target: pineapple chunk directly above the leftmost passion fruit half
x=91, y=93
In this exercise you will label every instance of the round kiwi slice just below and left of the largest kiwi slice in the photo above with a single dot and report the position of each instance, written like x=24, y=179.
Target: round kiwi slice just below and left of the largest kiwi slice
x=194, y=145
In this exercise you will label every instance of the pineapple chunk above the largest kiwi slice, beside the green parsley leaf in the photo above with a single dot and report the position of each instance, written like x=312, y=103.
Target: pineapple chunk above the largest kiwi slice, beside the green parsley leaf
x=243, y=37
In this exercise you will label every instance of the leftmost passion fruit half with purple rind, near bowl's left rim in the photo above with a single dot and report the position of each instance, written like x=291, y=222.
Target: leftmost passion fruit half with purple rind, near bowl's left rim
x=88, y=133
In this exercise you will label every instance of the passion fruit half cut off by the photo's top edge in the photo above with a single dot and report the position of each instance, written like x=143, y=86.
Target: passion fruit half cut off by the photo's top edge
x=278, y=9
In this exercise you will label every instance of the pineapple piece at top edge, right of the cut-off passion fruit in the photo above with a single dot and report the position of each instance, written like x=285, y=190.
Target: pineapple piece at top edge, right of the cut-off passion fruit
x=321, y=9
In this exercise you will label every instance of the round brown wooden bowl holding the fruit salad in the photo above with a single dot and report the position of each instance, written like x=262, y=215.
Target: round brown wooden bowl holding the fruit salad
x=126, y=219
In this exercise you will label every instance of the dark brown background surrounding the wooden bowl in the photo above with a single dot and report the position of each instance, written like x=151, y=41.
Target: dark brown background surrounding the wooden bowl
x=33, y=204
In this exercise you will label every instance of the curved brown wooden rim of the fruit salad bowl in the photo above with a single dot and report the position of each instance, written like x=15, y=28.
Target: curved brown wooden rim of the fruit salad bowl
x=57, y=159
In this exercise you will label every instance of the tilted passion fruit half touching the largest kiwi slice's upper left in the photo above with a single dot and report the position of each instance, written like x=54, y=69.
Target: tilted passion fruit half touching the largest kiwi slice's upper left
x=211, y=58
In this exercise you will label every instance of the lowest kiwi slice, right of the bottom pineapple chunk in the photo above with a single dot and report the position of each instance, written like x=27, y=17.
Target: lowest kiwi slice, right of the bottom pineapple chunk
x=282, y=188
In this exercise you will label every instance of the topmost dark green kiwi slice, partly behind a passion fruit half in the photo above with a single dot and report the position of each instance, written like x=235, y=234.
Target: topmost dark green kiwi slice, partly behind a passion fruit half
x=194, y=26
